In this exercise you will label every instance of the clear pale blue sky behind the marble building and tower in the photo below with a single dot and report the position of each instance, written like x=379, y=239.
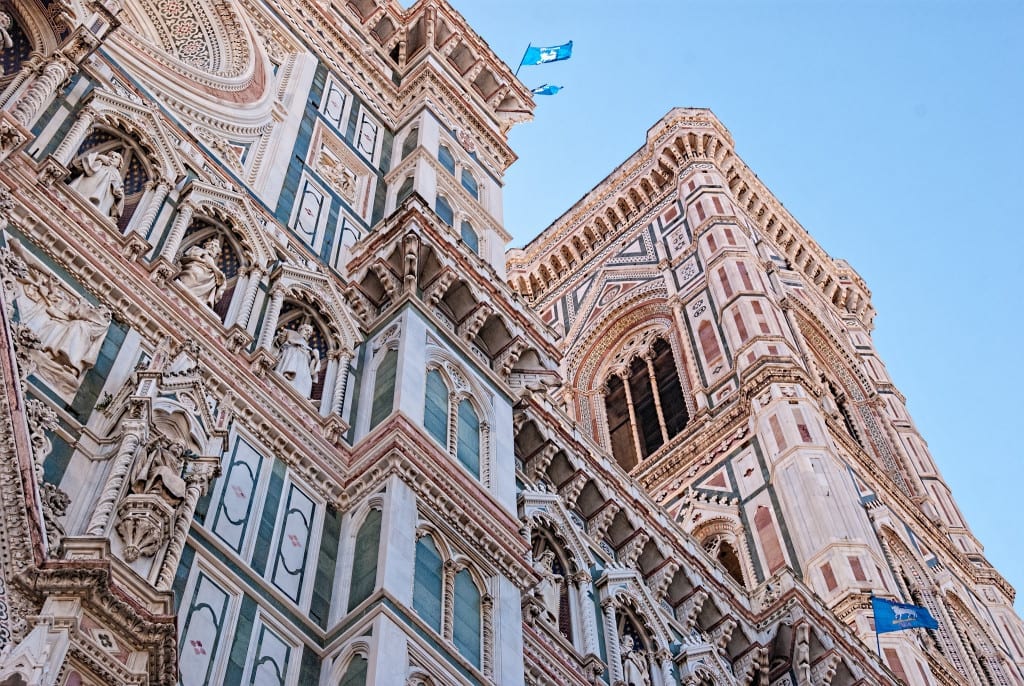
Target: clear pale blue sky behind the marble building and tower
x=891, y=131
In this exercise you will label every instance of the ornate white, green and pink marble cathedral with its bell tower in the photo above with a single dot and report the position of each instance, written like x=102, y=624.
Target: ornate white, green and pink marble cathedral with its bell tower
x=283, y=410
